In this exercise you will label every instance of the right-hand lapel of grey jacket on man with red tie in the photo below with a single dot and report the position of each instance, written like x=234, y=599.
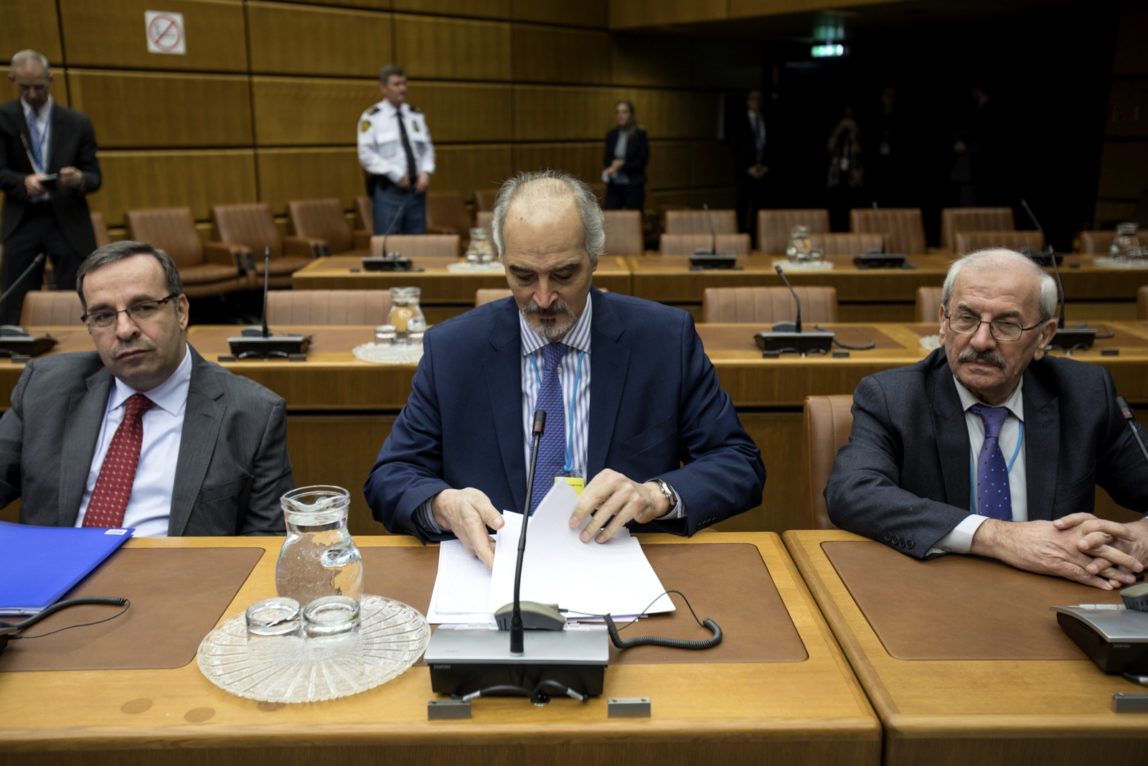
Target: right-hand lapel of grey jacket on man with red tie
x=203, y=419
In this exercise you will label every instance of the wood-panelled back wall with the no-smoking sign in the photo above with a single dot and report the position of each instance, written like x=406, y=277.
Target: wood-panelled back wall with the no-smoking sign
x=265, y=105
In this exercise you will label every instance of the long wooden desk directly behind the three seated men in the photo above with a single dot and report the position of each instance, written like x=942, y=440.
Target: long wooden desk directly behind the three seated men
x=342, y=409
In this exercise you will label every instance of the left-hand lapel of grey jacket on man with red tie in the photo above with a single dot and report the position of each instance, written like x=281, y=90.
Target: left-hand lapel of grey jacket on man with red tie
x=87, y=409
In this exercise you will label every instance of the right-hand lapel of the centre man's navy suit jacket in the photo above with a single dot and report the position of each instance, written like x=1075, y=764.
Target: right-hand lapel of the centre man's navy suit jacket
x=610, y=362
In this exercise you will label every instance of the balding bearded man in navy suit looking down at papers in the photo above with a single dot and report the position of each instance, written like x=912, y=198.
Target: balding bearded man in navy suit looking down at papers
x=634, y=406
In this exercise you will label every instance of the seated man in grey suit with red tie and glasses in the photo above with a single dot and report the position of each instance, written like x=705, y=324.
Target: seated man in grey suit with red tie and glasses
x=212, y=453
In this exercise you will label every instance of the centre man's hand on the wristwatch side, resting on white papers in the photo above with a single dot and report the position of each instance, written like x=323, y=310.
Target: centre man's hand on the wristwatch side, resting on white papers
x=616, y=499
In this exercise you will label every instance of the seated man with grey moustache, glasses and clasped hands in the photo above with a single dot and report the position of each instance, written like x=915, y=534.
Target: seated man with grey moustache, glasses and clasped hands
x=992, y=448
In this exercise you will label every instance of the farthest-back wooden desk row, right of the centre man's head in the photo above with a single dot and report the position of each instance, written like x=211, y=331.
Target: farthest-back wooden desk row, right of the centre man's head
x=874, y=295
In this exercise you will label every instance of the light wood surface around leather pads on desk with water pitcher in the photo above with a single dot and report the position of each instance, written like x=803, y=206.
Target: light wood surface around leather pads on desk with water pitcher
x=811, y=713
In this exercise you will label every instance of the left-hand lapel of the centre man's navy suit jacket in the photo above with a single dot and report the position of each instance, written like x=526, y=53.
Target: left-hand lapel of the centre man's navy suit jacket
x=503, y=375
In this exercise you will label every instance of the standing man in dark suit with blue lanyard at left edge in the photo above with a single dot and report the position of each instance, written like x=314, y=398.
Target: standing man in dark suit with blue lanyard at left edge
x=48, y=166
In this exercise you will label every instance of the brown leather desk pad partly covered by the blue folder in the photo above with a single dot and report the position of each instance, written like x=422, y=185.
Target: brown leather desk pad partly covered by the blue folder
x=179, y=597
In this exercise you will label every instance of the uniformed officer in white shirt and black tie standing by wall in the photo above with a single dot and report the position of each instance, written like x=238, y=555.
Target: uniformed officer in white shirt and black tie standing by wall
x=398, y=158
